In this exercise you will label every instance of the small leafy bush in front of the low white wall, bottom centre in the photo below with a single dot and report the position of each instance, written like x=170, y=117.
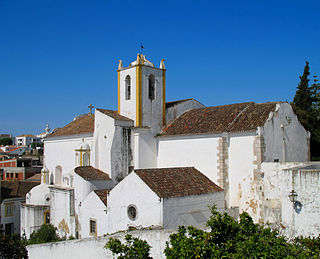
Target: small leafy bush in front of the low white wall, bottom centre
x=134, y=248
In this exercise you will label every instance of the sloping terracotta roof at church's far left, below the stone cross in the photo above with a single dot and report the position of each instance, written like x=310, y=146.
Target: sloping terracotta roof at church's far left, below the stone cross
x=84, y=124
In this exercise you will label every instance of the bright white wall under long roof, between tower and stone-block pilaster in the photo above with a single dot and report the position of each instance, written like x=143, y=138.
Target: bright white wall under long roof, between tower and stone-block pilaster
x=198, y=151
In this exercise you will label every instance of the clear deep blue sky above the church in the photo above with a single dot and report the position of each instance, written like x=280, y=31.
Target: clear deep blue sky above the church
x=58, y=56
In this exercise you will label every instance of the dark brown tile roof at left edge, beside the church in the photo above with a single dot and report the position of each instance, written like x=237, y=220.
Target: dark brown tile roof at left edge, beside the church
x=13, y=189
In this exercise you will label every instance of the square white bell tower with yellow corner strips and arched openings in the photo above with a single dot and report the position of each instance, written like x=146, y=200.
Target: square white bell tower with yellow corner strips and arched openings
x=141, y=93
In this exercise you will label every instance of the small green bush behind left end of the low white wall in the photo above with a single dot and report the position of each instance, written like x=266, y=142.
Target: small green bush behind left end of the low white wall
x=47, y=233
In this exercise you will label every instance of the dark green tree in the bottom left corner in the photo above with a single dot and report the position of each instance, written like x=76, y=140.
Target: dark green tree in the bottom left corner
x=12, y=247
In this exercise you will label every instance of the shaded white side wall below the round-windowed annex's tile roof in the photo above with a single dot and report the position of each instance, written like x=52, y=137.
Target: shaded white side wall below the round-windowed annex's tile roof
x=190, y=210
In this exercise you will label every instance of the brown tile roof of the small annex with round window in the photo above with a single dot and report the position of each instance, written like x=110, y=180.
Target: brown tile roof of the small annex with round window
x=177, y=182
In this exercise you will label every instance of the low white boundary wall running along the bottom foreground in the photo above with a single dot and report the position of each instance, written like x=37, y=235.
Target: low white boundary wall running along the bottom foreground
x=94, y=247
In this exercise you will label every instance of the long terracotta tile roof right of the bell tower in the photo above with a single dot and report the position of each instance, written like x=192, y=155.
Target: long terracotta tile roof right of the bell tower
x=227, y=118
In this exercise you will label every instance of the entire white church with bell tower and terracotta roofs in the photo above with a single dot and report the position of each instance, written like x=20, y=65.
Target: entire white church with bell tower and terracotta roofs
x=158, y=164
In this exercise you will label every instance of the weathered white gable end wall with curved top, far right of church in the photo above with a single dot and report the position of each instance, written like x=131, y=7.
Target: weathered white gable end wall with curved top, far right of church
x=284, y=141
